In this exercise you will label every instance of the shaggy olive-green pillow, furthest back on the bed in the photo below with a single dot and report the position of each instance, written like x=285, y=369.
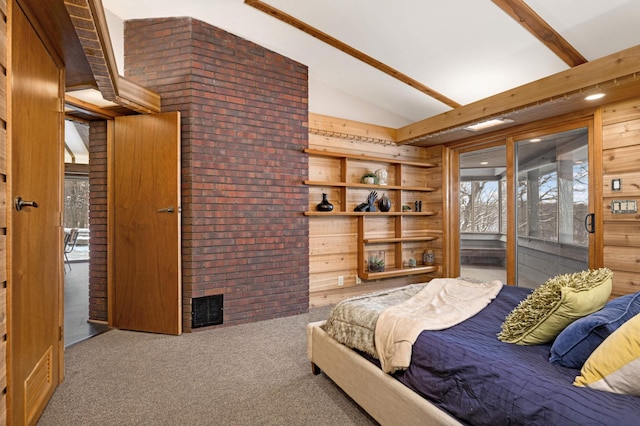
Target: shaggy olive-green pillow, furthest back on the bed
x=554, y=305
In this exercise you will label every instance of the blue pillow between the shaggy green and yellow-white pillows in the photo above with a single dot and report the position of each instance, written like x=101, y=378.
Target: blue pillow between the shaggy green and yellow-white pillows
x=579, y=339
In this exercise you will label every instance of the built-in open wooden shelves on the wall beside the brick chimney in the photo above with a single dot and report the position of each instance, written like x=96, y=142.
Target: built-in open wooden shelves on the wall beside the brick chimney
x=398, y=216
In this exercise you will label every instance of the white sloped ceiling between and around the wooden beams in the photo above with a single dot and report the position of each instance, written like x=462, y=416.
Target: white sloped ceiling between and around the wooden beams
x=466, y=50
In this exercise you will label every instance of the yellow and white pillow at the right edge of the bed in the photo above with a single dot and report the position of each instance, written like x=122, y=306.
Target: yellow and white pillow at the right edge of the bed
x=615, y=365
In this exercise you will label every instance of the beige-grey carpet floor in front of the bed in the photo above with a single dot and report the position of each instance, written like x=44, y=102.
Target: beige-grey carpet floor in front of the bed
x=253, y=374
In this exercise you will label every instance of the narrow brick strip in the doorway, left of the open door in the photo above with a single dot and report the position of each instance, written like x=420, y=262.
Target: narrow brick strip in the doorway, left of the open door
x=98, y=220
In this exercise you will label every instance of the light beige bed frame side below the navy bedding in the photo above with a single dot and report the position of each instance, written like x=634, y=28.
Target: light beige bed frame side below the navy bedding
x=387, y=400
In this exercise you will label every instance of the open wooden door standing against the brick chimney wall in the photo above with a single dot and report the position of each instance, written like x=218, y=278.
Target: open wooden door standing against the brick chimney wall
x=145, y=177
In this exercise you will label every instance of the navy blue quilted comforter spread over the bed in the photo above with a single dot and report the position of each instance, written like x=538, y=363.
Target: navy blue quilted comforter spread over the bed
x=469, y=373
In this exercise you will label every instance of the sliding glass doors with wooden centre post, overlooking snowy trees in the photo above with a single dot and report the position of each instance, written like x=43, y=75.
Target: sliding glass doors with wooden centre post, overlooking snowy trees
x=524, y=208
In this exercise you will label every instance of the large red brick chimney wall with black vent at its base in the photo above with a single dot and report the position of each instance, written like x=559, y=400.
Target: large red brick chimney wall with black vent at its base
x=244, y=125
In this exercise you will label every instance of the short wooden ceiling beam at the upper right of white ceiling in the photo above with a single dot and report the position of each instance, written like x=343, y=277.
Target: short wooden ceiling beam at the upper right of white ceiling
x=537, y=26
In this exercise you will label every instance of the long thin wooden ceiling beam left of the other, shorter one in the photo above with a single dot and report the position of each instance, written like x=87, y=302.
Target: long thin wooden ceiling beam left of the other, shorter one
x=355, y=53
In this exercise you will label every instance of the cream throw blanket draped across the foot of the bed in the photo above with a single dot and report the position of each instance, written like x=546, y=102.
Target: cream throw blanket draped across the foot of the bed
x=443, y=303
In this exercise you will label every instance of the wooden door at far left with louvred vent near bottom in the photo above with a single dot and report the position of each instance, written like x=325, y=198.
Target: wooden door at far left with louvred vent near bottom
x=35, y=285
